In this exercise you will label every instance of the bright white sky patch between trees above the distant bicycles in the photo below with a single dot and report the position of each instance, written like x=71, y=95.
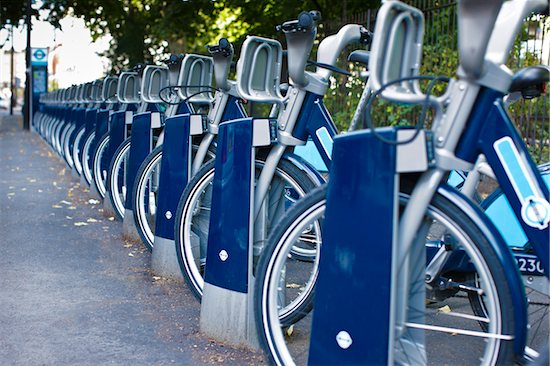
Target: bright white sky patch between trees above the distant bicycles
x=77, y=54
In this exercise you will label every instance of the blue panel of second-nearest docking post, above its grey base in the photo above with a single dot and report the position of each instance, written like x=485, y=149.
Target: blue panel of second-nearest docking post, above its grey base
x=229, y=229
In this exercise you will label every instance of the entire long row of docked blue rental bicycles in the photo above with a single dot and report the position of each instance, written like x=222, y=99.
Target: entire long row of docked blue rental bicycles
x=414, y=267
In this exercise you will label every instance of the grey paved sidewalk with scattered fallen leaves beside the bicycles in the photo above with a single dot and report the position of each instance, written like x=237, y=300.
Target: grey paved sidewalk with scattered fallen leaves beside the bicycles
x=72, y=292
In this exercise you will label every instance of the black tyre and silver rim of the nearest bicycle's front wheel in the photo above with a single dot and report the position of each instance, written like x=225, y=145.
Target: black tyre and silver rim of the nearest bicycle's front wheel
x=273, y=272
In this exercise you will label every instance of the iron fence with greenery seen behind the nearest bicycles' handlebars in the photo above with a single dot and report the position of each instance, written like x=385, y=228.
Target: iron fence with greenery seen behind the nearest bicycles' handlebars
x=440, y=57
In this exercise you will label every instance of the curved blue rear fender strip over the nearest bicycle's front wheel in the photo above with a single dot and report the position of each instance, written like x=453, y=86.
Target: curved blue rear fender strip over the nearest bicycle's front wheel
x=504, y=255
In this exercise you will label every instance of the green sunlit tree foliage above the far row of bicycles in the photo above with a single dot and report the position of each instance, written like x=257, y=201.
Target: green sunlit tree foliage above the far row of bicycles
x=147, y=30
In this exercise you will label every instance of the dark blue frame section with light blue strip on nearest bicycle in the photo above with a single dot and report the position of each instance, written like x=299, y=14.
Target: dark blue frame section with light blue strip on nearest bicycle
x=491, y=132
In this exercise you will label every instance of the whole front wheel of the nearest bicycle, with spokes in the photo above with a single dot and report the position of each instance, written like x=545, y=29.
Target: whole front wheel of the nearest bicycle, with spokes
x=437, y=330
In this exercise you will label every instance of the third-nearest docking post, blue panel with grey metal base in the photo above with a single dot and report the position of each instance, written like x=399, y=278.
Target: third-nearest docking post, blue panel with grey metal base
x=175, y=168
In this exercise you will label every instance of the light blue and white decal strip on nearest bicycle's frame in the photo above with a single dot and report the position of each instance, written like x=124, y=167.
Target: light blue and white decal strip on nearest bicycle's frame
x=535, y=209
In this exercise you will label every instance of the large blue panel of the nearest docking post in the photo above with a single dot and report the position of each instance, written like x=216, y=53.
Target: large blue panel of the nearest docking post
x=350, y=326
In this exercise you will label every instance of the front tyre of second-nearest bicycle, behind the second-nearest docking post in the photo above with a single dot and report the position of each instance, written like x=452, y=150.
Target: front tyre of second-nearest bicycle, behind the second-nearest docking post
x=189, y=259
